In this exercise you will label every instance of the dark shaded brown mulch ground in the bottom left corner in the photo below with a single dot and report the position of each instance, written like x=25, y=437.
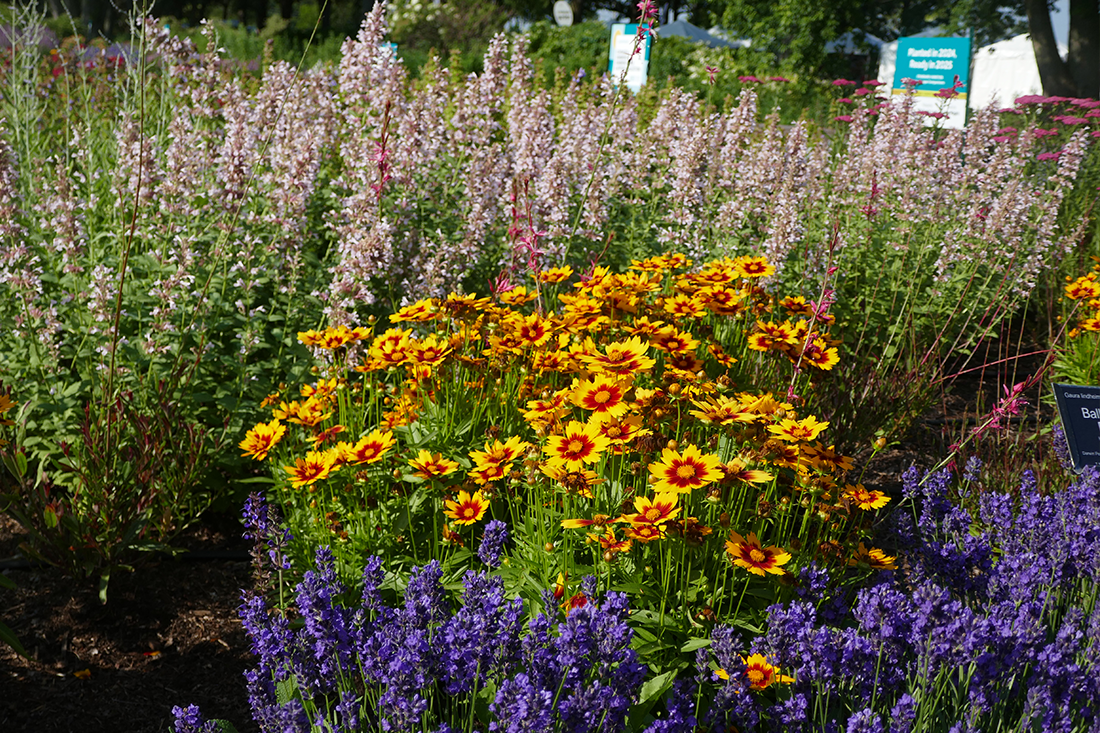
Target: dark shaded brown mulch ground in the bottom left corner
x=169, y=636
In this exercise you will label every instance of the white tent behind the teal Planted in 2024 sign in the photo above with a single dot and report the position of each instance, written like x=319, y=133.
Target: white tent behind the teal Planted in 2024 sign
x=1000, y=72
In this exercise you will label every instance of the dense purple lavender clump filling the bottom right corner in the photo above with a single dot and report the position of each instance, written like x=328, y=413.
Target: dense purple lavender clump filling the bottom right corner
x=996, y=605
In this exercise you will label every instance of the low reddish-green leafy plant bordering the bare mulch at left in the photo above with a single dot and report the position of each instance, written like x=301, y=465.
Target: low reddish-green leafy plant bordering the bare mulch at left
x=134, y=479
